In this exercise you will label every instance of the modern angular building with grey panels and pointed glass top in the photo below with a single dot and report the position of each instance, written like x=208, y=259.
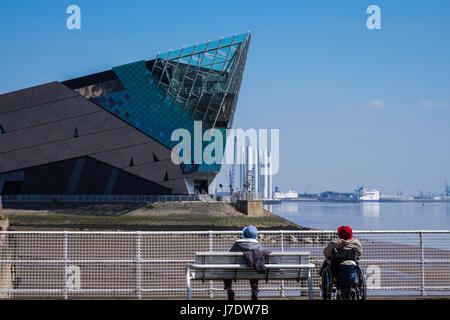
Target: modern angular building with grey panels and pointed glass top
x=110, y=132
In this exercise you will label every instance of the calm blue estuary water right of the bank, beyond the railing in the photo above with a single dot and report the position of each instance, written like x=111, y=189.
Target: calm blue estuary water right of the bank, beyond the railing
x=366, y=216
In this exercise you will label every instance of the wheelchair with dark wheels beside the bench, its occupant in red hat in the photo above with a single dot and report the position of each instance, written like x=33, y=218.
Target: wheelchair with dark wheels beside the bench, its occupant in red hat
x=342, y=278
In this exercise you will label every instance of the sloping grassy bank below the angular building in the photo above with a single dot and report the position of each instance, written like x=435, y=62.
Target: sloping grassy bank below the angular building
x=159, y=216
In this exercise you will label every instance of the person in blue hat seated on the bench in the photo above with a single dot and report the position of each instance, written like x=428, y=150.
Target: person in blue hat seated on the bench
x=249, y=242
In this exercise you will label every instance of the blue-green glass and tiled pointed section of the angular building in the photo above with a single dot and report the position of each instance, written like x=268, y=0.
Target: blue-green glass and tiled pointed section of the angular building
x=197, y=83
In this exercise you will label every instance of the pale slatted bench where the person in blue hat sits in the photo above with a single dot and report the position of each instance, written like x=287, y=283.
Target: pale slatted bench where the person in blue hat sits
x=293, y=265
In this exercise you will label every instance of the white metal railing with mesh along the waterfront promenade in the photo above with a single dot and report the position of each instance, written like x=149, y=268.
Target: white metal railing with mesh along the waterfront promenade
x=152, y=264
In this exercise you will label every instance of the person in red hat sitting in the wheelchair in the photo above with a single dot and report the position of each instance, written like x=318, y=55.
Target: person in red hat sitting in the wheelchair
x=341, y=257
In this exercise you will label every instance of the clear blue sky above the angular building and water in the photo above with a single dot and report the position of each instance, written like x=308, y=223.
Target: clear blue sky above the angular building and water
x=354, y=106
